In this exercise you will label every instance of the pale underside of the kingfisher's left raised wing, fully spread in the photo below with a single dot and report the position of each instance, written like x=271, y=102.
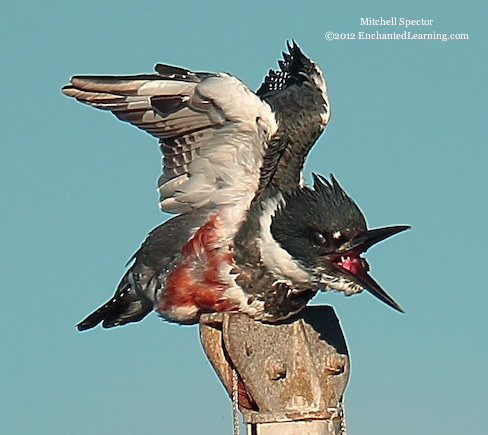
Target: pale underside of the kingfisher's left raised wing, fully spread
x=212, y=130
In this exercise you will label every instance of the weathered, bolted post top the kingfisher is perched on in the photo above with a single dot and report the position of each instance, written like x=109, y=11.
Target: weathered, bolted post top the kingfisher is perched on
x=291, y=375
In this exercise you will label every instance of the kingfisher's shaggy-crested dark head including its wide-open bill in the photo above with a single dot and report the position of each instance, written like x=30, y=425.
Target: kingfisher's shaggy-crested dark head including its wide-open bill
x=324, y=230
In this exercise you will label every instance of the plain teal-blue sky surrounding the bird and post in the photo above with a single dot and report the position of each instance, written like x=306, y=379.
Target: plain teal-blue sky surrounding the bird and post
x=407, y=139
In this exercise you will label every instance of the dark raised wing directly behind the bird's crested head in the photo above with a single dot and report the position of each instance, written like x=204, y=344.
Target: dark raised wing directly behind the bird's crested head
x=298, y=96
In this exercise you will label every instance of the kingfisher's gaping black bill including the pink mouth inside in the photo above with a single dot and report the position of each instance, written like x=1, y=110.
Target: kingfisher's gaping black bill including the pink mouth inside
x=347, y=258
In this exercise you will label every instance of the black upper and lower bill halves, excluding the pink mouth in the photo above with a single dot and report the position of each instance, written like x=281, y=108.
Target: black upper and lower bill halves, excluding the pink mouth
x=361, y=243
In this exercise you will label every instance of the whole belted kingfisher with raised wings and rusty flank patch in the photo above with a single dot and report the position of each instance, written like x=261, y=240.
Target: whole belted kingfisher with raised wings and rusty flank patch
x=248, y=235
